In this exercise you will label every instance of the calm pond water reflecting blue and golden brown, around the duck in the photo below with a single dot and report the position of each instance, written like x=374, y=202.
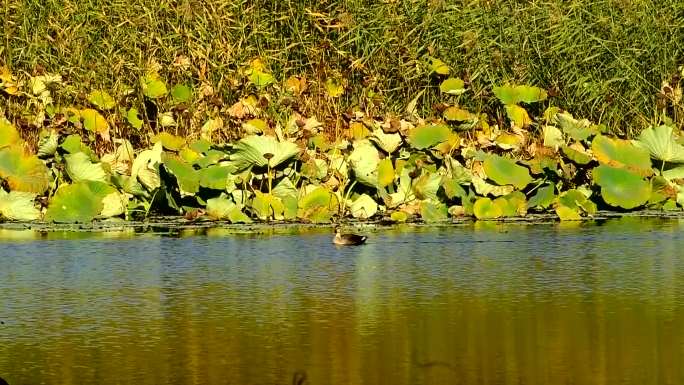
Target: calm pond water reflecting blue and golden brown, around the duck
x=479, y=304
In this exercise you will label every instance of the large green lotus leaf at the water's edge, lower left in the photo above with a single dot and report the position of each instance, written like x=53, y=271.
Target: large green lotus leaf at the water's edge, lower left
x=78, y=202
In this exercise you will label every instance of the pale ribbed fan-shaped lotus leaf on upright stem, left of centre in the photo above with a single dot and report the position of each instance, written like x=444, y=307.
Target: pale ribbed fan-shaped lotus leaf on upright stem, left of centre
x=252, y=151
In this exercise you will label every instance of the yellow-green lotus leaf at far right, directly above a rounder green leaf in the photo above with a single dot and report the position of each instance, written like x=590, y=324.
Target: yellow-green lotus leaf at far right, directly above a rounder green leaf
x=619, y=153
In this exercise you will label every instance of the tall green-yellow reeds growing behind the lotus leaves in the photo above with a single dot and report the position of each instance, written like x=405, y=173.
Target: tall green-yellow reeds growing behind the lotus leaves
x=605, y=59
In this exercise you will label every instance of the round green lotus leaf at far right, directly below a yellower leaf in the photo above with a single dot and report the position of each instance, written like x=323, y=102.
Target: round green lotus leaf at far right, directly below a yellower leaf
x=621, y=188
